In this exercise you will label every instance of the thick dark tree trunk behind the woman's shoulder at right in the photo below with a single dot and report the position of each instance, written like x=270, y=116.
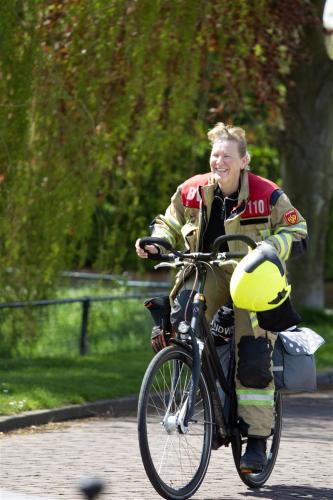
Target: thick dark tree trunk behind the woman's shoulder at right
x=306, y=150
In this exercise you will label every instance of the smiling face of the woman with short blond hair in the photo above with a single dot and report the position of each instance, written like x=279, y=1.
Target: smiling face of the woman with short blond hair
x=226, y=165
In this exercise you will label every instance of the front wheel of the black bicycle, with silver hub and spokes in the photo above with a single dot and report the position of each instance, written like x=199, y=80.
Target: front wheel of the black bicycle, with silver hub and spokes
x=175, y=461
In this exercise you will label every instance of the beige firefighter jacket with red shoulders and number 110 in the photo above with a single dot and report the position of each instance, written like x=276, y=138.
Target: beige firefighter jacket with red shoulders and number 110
x=263, y=212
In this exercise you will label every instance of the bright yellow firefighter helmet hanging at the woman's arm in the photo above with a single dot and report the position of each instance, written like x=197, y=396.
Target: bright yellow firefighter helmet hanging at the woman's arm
x=259, y=281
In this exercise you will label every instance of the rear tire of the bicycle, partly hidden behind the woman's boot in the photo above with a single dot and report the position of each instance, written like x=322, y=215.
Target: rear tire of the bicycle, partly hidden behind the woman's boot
x=273, y=442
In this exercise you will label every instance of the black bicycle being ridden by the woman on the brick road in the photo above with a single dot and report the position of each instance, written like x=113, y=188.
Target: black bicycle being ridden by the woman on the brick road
x=181, y=416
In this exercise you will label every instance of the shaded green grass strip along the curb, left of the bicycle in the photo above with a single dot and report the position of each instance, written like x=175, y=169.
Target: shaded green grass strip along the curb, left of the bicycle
x=38, y=383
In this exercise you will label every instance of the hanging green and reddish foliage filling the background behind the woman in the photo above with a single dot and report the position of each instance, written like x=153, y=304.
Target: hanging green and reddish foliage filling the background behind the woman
x=106, y=109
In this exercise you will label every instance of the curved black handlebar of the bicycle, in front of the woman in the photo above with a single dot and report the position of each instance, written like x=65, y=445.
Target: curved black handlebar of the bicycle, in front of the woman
x=149, y=240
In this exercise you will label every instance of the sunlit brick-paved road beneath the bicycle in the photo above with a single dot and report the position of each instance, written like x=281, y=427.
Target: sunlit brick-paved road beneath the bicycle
x=50, y=461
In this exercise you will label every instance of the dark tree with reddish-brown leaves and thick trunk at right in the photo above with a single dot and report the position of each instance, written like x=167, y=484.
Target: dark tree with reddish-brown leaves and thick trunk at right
x=294, y=82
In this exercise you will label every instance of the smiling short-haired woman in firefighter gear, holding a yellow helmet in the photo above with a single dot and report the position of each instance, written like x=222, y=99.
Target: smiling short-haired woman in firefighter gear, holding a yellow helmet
x=228, y=200
